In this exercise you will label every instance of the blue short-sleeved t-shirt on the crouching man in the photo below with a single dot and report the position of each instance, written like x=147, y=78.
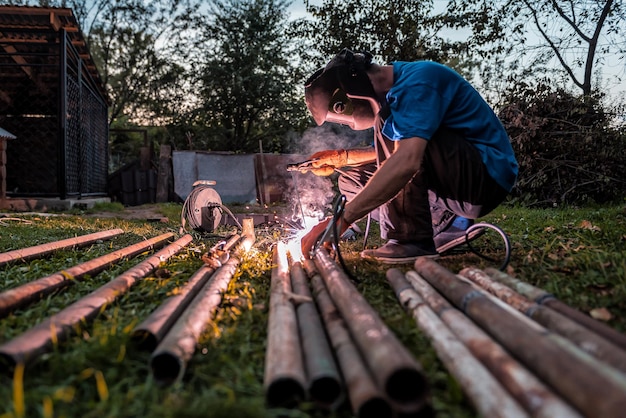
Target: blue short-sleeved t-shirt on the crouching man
x=426, y=96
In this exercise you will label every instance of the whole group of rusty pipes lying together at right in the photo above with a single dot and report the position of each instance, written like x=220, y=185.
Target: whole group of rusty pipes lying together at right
x=516, y=350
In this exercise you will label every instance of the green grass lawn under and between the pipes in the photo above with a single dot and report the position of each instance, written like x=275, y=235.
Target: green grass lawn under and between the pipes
x=576, y=253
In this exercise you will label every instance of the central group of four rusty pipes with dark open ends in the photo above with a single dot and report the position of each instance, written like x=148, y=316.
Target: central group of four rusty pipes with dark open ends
x=325, y=342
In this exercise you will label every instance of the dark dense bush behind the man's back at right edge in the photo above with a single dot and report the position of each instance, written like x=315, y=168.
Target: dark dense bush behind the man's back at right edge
x=568, y=148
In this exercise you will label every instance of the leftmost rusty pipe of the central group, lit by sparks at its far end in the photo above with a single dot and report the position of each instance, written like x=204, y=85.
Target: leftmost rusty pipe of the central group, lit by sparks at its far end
x=284, y=377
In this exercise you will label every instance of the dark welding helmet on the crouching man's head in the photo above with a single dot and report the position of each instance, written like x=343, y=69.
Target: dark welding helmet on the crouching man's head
x=341, y=92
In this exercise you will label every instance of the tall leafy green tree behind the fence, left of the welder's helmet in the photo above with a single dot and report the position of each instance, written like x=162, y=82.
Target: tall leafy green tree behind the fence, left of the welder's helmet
x=247, y=76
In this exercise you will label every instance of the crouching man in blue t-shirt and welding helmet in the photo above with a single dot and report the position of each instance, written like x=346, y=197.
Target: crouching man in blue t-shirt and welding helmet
x=441, y=157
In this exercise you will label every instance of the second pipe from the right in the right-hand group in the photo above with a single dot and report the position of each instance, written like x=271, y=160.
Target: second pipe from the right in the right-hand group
x=584, y=338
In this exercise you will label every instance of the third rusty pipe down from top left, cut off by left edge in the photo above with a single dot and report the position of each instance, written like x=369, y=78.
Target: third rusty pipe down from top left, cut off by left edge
x=41, y=338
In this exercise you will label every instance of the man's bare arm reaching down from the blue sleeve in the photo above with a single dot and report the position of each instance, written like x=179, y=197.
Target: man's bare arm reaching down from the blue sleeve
x=389, y=179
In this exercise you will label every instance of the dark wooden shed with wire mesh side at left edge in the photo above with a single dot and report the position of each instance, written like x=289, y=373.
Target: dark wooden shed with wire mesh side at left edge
x=53, y=100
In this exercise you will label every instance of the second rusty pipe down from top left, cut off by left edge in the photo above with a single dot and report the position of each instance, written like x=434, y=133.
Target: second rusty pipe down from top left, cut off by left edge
x=29, y=292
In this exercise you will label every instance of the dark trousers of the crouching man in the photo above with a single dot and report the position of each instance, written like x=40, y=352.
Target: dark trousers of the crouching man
x=452, y=180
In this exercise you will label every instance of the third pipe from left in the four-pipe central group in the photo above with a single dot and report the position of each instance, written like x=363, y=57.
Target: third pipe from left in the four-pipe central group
x=366, y=399
